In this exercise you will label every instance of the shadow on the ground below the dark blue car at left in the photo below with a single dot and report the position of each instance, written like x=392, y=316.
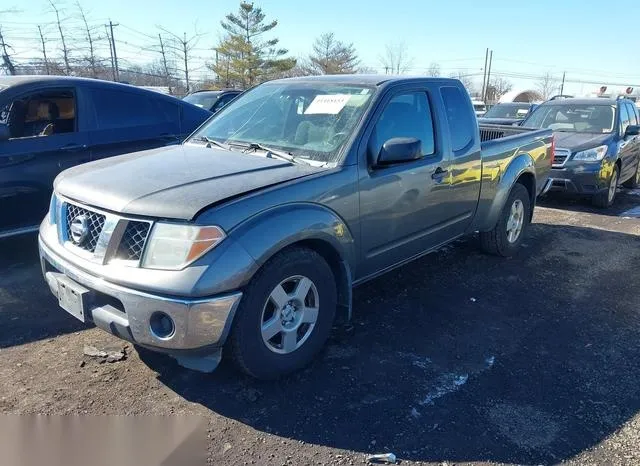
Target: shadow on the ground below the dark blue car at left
x=28, y=311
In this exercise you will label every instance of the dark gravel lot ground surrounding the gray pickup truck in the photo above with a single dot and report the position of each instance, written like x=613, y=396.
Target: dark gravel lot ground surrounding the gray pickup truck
x=456, y=358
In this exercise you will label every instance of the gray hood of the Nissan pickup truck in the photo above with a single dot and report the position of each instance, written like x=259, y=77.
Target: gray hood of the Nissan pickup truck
x=173, y=182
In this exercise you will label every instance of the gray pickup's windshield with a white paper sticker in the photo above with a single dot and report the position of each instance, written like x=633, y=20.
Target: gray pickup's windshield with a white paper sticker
x=309, y=120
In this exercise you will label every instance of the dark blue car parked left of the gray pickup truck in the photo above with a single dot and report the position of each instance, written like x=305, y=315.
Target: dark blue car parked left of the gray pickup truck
x=50, y=123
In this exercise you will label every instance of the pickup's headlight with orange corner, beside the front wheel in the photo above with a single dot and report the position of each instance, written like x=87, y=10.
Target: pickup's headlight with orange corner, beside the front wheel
x=173, y=246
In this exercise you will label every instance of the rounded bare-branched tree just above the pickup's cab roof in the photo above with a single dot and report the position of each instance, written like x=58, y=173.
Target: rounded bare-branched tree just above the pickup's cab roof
x=330, y=56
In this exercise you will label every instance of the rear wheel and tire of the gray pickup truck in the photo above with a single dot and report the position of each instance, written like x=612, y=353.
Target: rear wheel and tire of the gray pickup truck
x=499, y=241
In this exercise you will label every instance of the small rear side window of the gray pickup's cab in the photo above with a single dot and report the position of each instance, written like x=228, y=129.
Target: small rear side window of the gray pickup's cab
x=459, y=119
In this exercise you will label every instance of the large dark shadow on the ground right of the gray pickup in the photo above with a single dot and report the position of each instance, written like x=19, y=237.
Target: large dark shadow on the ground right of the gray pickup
x=464, y=357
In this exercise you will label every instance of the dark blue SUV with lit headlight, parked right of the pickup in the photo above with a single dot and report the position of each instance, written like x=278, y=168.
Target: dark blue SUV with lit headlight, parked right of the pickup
x=597, y=148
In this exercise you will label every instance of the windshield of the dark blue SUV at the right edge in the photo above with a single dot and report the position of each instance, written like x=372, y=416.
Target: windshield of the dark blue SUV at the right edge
x=574, y=118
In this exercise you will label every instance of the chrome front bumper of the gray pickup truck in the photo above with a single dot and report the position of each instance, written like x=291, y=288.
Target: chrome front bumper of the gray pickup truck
x=200, y=324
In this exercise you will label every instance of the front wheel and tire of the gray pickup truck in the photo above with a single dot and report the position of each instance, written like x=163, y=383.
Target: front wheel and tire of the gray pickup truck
x=258, y=315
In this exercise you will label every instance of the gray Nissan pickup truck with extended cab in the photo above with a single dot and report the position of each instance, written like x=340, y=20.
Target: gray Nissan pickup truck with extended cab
x=252, y=233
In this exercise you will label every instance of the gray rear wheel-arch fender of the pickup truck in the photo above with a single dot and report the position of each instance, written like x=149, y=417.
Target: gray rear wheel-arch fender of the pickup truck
x=490, y=208
